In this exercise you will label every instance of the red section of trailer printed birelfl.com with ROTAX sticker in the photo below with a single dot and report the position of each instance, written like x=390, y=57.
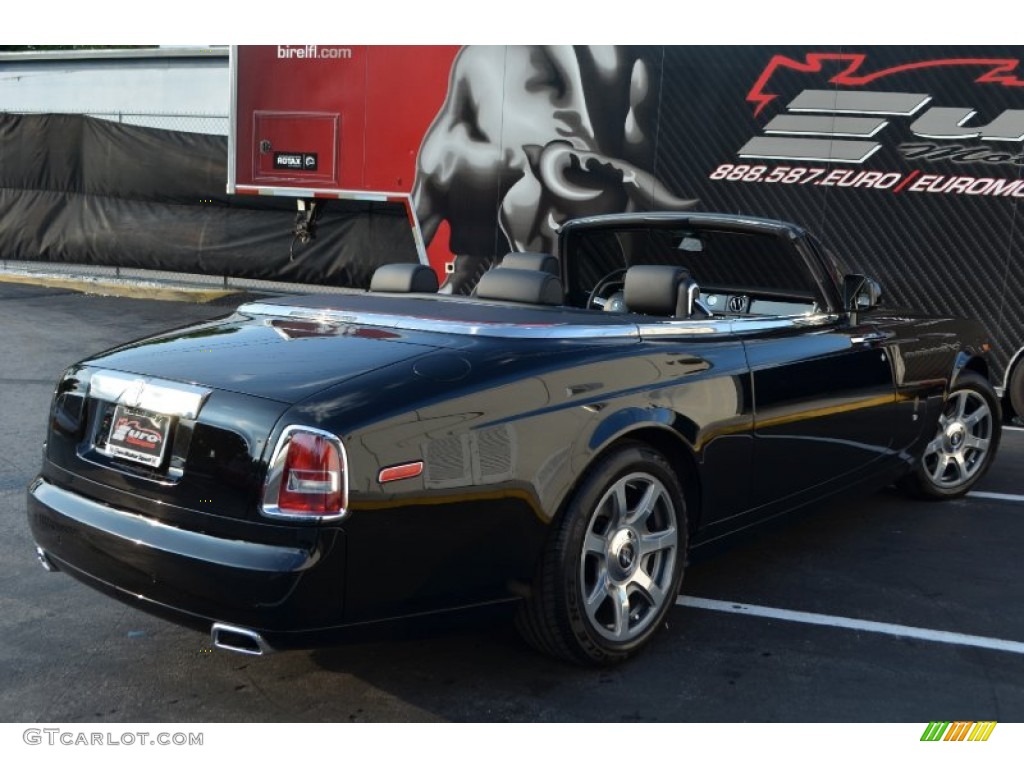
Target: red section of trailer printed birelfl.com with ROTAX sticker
x=334, y=122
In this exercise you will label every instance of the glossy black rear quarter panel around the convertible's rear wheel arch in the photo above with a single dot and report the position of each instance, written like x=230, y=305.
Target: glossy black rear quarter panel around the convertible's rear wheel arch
x=506, y=429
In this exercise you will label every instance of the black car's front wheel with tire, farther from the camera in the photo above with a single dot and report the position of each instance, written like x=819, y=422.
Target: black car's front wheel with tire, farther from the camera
x=966, y=440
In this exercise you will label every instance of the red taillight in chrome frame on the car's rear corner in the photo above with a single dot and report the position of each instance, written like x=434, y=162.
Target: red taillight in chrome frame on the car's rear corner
x=307, y=477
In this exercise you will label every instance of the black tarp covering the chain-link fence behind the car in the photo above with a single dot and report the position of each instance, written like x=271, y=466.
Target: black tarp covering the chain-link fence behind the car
x=80, y=191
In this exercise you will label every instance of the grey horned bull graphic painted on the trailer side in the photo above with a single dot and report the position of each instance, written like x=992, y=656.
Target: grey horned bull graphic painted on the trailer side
x=553, y=133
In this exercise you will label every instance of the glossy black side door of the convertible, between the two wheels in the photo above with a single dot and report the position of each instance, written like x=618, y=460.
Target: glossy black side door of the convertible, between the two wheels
x=825, y=402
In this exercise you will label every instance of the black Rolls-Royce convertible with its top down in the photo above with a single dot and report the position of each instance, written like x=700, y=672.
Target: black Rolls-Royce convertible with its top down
x=559, y=440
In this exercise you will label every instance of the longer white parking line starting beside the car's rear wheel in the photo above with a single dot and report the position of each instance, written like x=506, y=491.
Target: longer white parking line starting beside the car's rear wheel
x=824, y=620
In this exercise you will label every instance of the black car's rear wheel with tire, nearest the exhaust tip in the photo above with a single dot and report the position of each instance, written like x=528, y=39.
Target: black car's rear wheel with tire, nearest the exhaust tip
x=614, y=563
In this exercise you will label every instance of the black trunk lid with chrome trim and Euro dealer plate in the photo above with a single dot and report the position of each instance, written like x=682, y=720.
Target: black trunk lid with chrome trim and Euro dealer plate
x=176, y=428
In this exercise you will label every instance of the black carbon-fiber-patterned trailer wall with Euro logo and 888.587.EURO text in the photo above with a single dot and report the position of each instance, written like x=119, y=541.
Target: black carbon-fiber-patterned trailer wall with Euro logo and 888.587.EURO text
x=945, y=252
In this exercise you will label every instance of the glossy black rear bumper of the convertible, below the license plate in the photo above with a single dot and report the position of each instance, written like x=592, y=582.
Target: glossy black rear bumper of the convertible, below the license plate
x=189, y=576
